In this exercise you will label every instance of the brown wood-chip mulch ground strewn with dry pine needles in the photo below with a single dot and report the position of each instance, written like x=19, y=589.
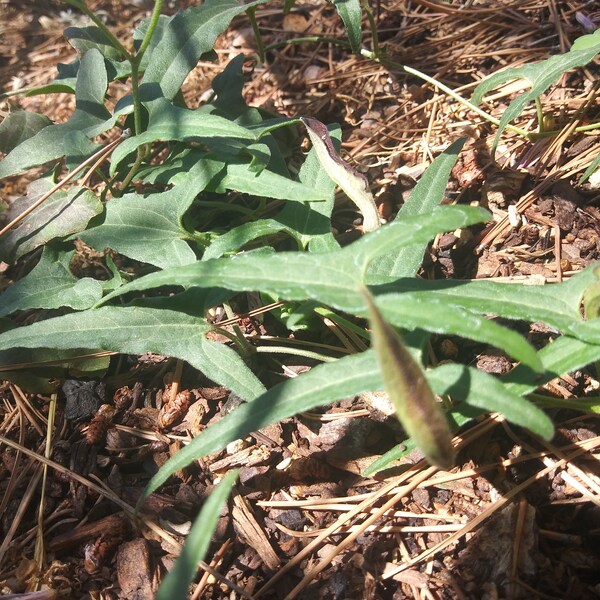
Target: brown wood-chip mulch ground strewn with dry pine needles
x=517, y=518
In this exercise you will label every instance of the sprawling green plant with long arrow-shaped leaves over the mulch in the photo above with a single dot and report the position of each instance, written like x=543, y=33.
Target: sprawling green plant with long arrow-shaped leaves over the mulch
x=199, y=197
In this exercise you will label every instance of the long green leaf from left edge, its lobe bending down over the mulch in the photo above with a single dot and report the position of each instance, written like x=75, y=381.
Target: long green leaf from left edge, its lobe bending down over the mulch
x=135, y=330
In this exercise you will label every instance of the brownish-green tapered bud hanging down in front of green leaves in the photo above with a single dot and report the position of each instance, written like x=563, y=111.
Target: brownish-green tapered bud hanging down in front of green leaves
x=405, y=382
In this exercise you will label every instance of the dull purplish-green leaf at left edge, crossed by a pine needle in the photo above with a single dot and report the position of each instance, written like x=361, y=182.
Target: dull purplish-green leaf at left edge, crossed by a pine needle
x=60, y=215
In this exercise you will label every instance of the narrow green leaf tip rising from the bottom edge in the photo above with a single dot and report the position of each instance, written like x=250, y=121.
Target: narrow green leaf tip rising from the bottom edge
x=175, y=585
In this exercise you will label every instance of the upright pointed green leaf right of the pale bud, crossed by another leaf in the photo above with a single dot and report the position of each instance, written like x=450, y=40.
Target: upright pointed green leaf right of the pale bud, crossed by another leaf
x=424, y=198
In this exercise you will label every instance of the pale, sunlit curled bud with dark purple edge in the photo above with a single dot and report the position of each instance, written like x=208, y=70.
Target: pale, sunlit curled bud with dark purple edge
x=353, y=183
